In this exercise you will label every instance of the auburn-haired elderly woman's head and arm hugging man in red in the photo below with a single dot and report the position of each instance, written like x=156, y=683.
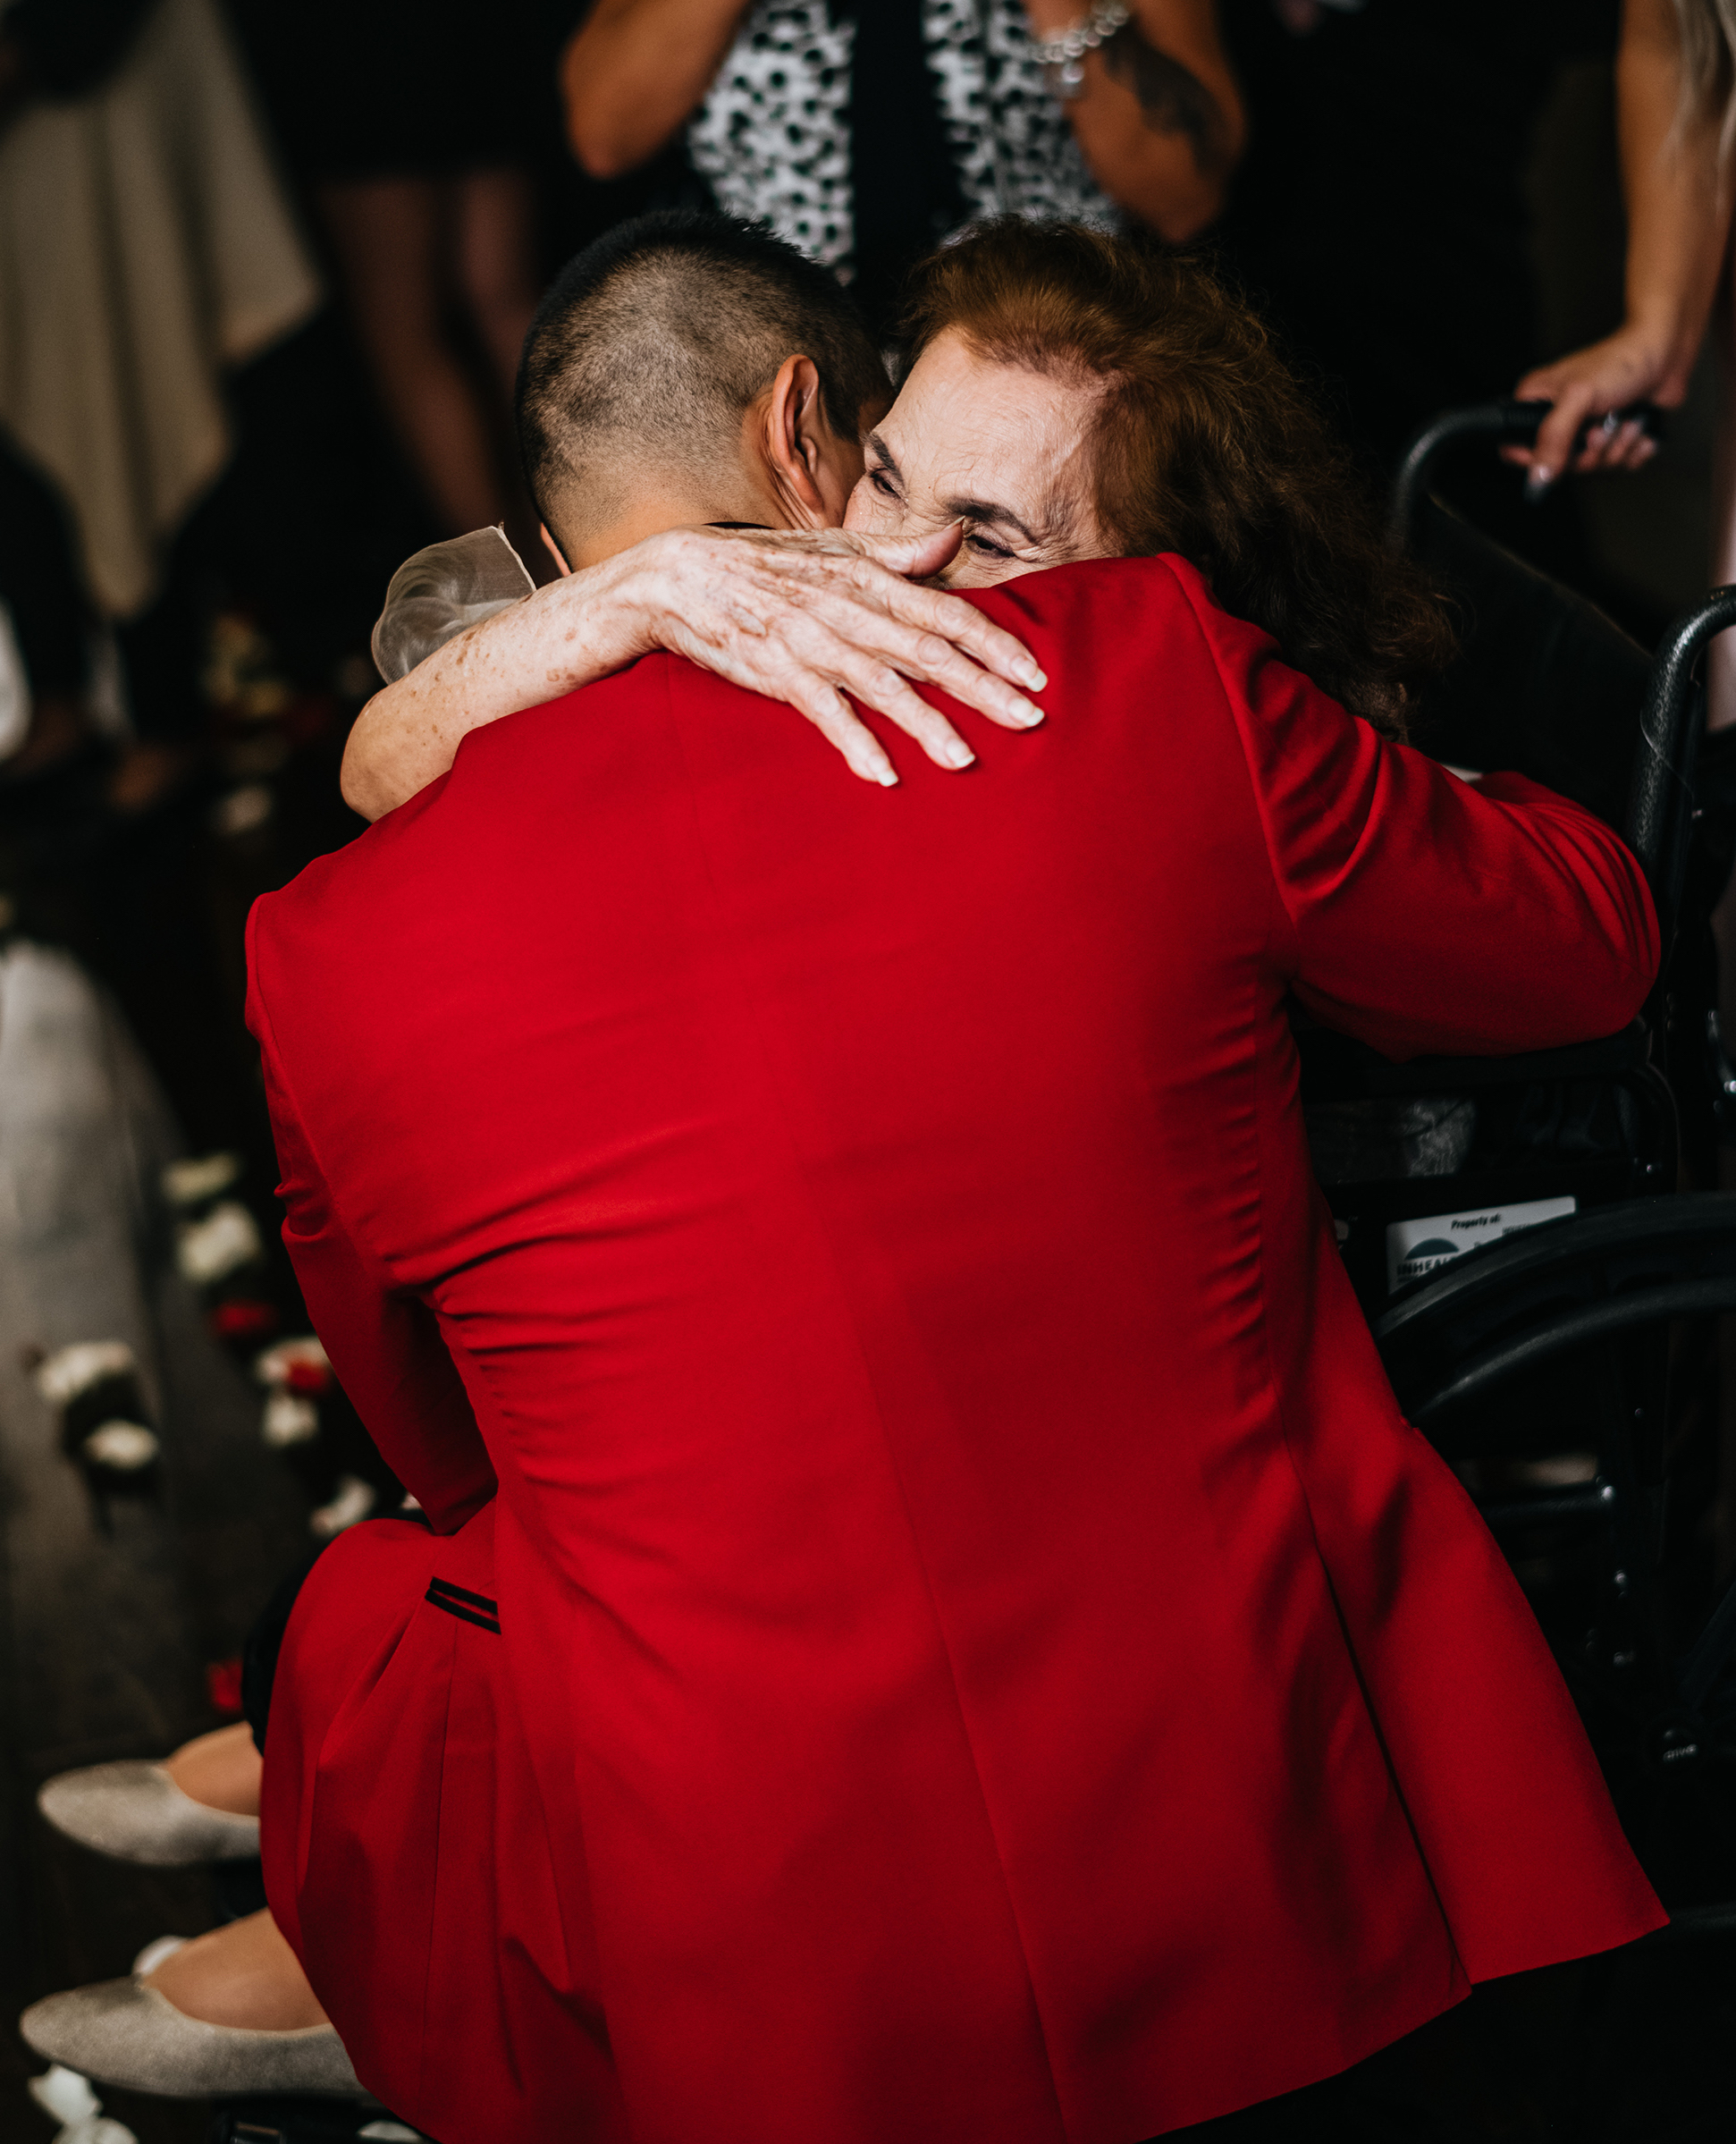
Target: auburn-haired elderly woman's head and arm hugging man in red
x=1071, y=396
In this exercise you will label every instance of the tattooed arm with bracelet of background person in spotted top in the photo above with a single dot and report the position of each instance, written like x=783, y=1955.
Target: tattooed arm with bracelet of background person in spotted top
x=1158, y=117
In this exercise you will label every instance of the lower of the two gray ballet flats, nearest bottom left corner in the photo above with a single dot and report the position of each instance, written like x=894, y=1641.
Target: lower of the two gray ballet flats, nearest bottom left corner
x=132, y=2036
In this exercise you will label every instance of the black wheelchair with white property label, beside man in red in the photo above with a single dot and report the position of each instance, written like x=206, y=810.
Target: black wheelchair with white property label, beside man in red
x=1521, y=1249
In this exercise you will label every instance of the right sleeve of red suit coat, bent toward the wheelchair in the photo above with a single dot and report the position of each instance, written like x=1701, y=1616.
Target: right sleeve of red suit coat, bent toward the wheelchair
x=1422, y=912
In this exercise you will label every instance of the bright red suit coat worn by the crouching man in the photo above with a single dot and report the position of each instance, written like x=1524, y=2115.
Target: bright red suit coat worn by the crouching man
x=936, y=1624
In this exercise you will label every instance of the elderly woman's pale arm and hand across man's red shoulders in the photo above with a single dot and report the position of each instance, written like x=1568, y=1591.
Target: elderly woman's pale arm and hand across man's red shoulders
x=805, y=619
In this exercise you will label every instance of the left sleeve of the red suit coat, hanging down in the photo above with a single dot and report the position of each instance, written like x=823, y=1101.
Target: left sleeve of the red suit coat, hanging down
x=385, y=1343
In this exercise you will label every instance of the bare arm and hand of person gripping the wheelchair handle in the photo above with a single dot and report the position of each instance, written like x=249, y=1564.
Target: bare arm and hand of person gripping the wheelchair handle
x=1677, y=192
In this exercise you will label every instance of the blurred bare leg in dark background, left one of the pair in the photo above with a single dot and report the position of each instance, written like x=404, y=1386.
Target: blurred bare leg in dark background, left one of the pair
x=393, y=243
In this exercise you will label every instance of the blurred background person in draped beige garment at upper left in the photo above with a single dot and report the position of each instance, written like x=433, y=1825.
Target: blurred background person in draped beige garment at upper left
x=147, y=250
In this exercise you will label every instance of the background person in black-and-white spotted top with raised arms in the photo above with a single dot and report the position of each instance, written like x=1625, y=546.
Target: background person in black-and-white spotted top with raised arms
x=869, y=134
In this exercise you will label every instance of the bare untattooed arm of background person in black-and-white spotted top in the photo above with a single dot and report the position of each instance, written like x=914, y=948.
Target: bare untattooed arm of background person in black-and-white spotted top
x=635, y=72
